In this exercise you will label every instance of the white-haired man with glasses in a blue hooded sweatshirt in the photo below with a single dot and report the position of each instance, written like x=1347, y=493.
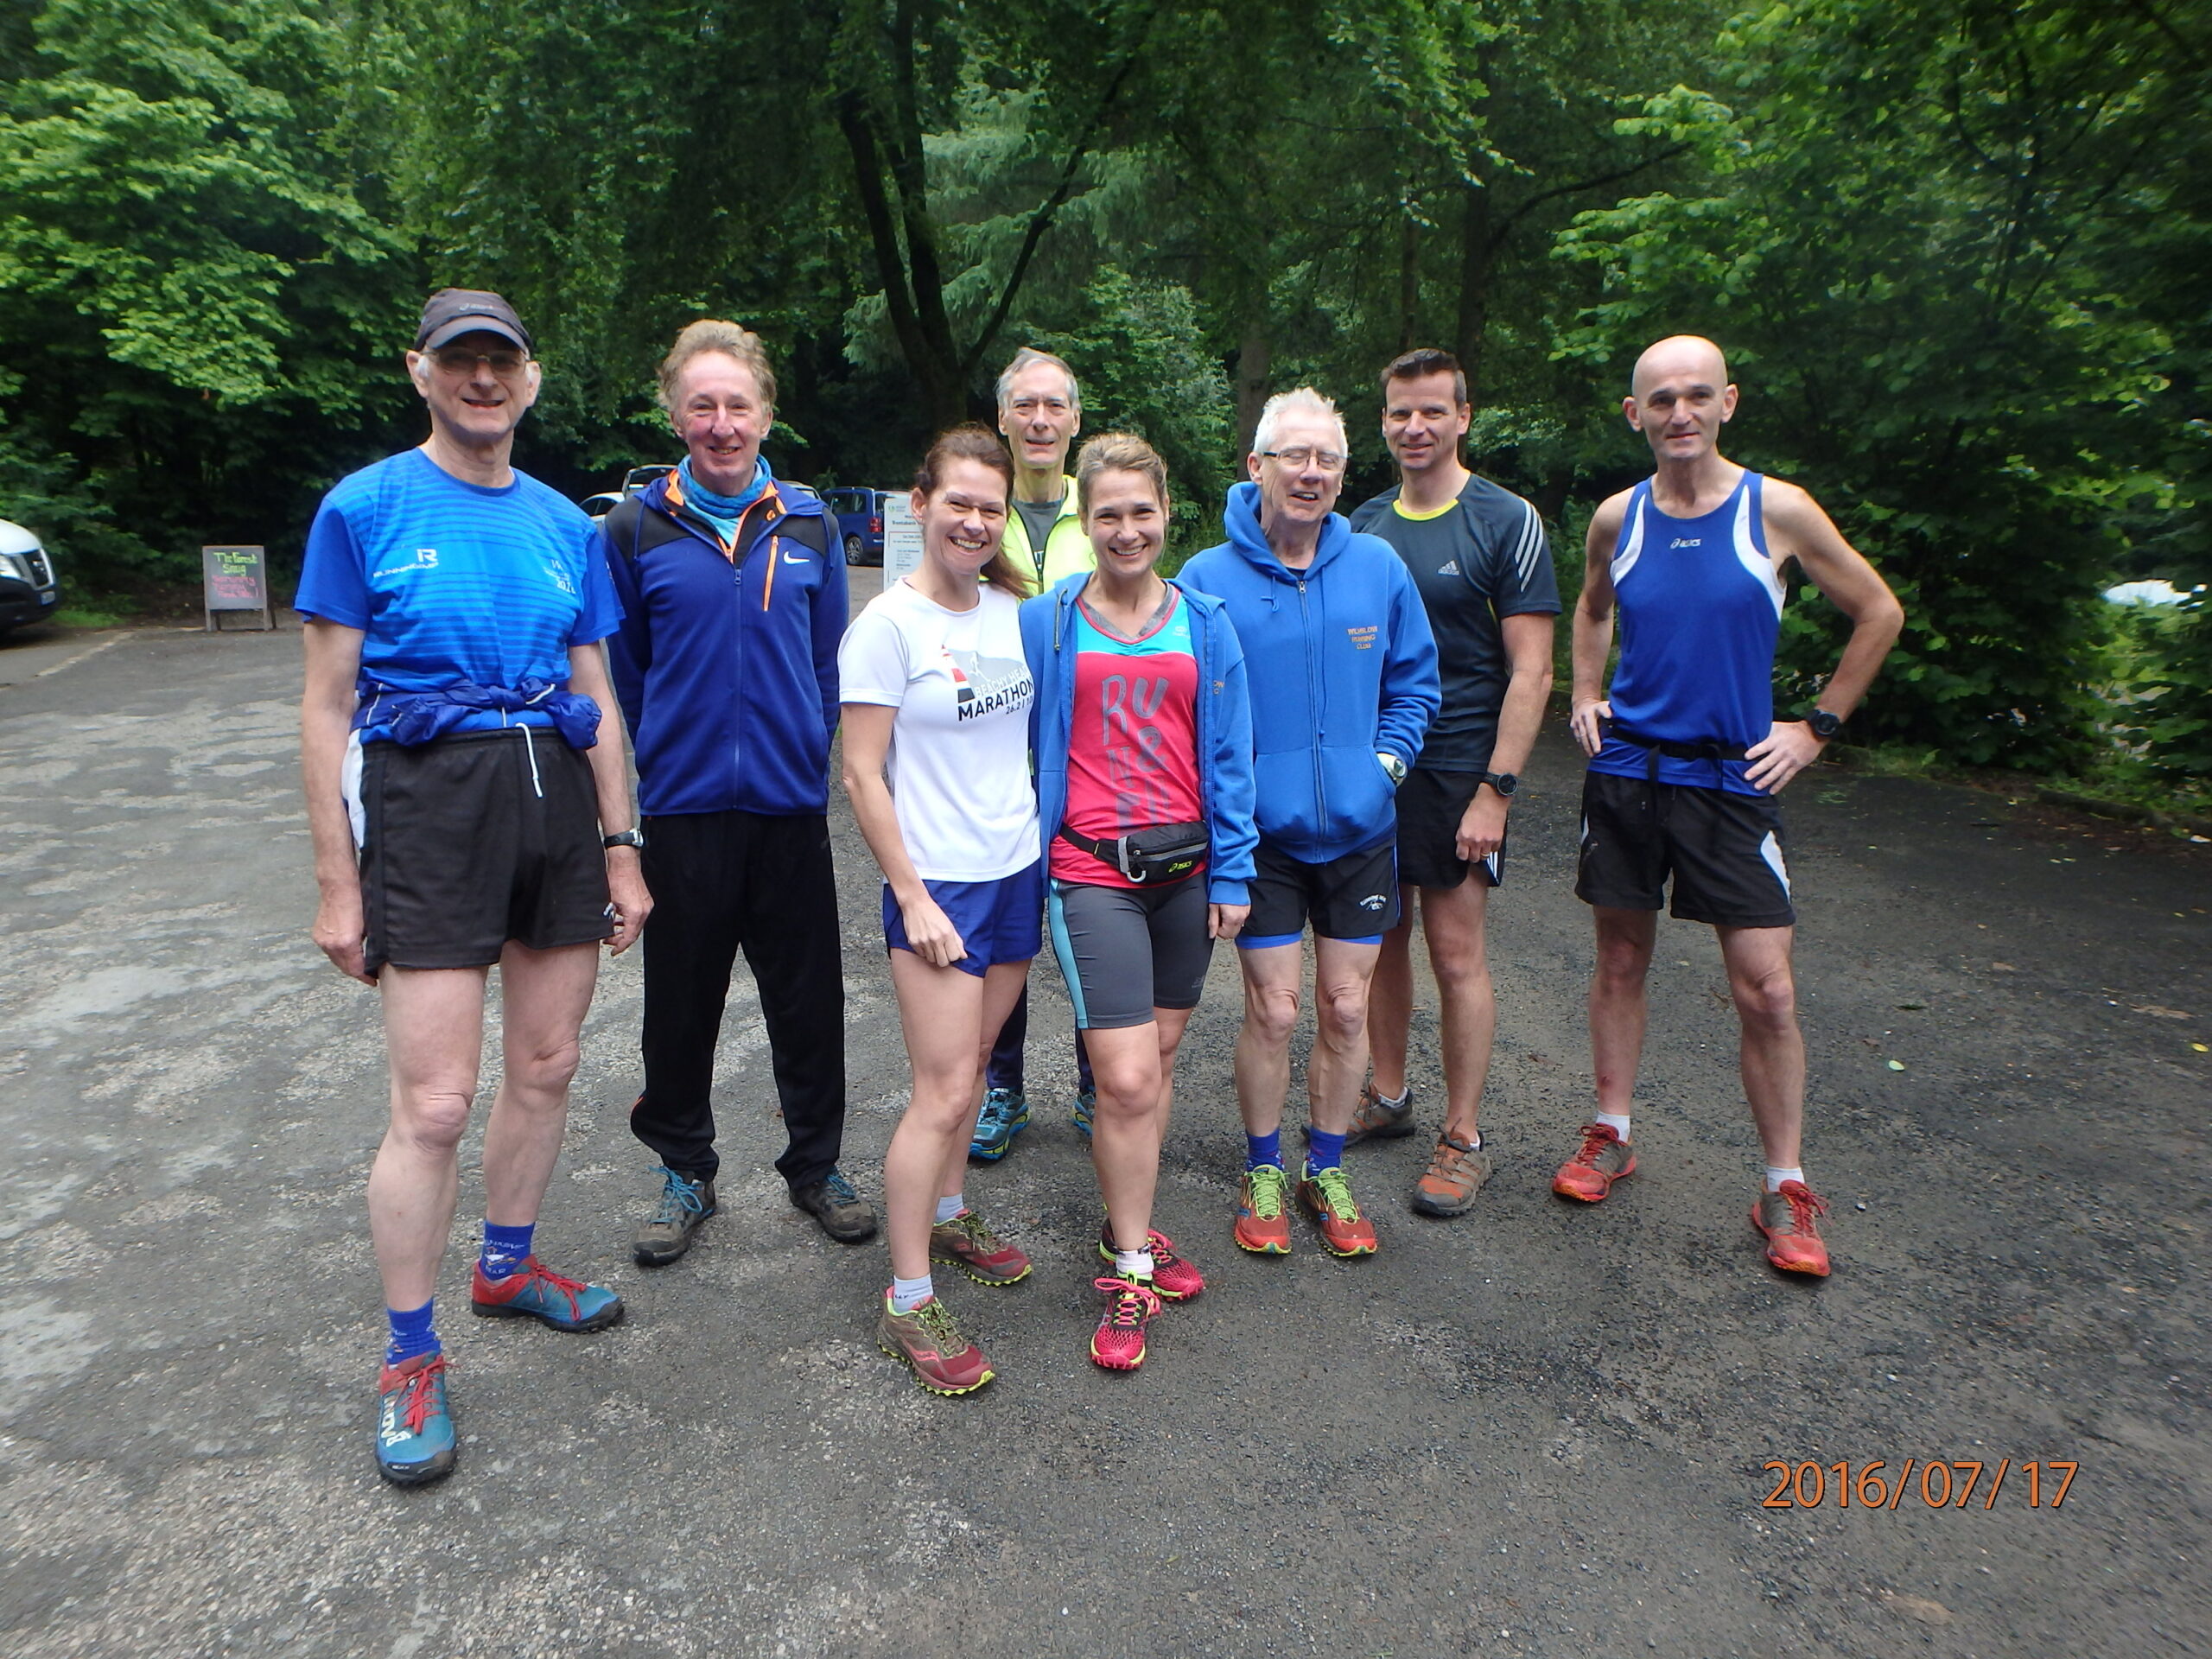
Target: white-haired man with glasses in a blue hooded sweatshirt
x=1335, y=632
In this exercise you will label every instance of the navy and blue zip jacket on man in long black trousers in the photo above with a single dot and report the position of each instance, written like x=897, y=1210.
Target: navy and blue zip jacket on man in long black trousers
x=727, y=669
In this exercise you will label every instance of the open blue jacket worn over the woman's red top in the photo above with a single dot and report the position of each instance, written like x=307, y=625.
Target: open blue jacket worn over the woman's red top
x=1224, y=720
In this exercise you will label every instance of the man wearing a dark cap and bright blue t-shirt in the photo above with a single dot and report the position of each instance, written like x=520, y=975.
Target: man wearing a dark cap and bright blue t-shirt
x=470, y=806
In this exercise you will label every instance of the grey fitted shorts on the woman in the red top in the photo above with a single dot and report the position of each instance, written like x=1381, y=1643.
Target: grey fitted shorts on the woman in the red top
x=1131, y=950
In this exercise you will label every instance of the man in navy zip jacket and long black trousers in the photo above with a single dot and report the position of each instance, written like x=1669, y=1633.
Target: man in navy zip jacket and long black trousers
x=727, y=669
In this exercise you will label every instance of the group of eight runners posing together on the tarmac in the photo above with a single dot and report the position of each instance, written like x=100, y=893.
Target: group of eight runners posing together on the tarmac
x=1315, y=727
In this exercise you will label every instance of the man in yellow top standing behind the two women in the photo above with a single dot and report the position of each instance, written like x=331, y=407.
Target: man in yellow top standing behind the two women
x=1039, y=415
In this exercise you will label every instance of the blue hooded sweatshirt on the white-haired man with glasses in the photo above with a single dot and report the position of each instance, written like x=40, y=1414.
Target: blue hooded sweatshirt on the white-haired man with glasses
x=1348, y=662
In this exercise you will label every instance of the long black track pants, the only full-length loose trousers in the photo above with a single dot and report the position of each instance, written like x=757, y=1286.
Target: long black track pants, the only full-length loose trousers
x=727, y=881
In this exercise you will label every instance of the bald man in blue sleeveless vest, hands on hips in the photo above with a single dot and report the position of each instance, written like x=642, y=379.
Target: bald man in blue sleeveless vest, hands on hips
x=1687, y=760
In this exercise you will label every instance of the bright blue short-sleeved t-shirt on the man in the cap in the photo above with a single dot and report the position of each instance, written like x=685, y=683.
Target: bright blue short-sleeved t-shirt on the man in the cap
x=455, y=583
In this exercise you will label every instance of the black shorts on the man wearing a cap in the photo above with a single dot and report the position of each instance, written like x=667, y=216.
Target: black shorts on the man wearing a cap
x=479, y=839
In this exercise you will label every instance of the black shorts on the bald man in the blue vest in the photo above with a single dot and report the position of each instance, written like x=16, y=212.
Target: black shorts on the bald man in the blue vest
x=1724, y=853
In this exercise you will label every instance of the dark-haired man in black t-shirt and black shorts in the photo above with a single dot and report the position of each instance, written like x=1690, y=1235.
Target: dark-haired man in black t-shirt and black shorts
x=1483, y=567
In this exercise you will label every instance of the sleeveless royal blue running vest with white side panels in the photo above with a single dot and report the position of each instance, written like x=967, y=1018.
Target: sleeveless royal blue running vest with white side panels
x=1700, y=609
